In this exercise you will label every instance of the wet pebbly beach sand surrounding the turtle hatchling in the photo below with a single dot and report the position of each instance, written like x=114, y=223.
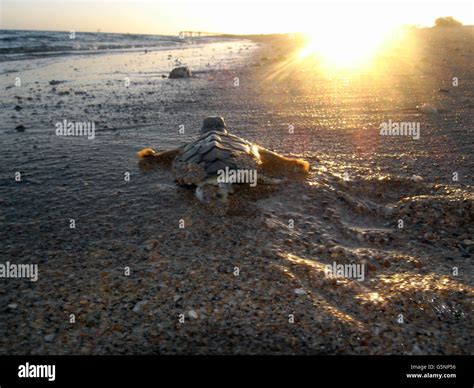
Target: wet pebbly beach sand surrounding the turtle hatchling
x=246, y=283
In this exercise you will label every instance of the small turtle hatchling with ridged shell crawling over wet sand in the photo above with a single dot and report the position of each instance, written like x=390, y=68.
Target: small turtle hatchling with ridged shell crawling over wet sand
x=217, y=160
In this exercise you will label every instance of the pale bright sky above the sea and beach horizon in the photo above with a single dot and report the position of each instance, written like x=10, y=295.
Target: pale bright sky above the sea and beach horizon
x=243, y=17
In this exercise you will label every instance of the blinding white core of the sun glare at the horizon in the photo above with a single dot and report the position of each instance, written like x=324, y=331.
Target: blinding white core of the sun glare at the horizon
x=351, y=45
